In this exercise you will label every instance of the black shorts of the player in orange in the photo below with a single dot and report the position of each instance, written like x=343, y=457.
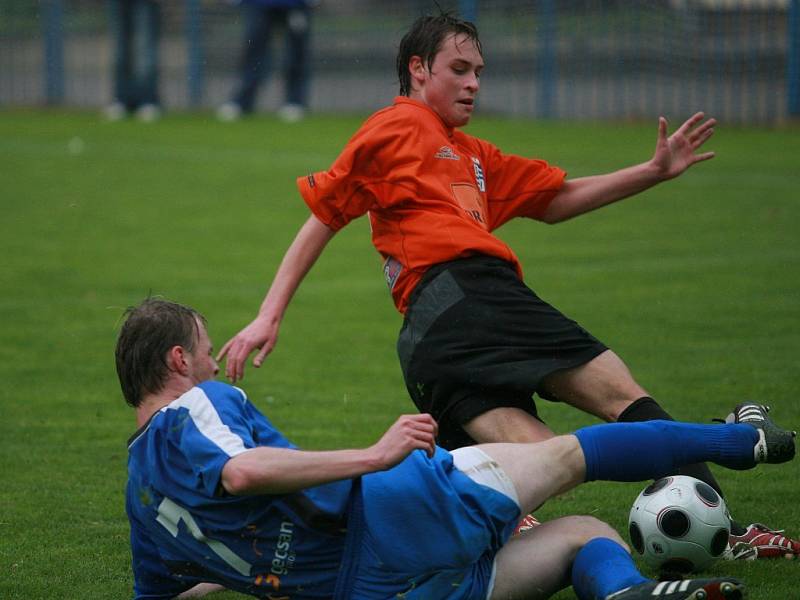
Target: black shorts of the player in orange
x=475, y=338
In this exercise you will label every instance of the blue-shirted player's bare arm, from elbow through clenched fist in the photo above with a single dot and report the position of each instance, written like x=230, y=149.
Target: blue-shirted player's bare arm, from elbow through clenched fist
x=266, y=470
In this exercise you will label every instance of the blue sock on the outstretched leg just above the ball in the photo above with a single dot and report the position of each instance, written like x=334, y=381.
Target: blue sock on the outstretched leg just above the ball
x=654, y=449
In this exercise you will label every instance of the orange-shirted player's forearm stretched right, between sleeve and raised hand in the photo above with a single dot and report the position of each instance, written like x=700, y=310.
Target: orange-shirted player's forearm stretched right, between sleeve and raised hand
x=585, y=194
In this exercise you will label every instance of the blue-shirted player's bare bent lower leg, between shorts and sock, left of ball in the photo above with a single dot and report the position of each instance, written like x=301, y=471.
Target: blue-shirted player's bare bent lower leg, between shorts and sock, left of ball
x=536, y=564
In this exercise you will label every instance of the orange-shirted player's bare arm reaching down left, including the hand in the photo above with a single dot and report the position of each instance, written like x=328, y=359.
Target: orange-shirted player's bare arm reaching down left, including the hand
x=262, y=332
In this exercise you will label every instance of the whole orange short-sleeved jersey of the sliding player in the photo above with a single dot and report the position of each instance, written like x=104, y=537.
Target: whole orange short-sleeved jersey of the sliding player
x=433, y=193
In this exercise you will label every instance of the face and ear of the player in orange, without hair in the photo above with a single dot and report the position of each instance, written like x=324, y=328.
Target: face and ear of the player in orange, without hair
x=451, y=85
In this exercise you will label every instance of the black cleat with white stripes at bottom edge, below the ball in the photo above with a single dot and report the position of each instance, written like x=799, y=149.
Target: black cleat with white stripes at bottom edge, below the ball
x=687, y=589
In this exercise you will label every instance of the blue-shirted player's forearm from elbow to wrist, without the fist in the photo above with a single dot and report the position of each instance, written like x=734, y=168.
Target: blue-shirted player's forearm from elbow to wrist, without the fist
x=280, y=470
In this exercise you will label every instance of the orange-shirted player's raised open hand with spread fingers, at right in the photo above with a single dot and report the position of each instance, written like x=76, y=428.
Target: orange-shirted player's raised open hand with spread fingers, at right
x=678, y=152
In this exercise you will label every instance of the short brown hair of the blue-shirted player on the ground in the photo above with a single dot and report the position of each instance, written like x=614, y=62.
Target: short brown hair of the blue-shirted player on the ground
x=149, y=331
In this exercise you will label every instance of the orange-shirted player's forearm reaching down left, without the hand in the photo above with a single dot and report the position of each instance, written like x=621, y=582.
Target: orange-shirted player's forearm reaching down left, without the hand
x=298, y=260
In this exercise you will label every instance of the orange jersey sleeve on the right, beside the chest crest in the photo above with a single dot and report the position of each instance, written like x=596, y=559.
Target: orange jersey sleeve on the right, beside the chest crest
x=518, y=186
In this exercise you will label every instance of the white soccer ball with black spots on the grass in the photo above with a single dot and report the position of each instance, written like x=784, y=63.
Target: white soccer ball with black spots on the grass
x=679, y=524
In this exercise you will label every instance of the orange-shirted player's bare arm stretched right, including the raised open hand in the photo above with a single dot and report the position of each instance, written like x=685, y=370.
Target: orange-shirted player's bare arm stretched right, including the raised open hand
x=673, y=155
